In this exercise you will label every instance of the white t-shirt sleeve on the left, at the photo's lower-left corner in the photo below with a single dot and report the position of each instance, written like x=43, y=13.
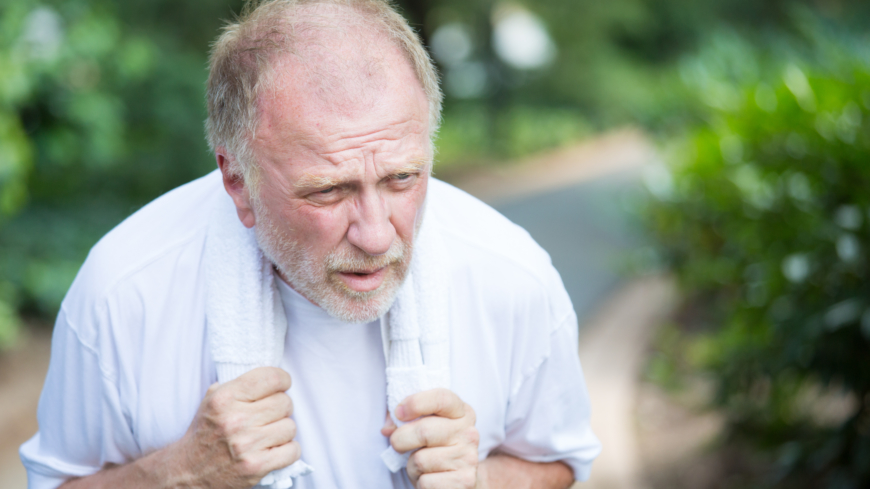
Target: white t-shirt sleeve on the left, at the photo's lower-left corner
x=81, y=423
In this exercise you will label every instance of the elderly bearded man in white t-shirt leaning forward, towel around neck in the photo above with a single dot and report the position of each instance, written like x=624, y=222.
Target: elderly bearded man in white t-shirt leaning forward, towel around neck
x=321, y=117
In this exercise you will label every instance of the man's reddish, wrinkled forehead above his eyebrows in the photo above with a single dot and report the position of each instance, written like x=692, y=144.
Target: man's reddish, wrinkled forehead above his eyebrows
x=340, y=98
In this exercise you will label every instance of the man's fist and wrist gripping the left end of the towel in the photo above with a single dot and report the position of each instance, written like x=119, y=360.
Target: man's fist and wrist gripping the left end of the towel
x=241, y=432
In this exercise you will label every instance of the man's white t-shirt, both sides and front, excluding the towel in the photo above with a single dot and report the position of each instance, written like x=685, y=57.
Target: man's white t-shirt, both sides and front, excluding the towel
x=130, y=360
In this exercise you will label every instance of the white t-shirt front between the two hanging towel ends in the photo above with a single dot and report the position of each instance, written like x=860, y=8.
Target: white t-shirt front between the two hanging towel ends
x=337, y=369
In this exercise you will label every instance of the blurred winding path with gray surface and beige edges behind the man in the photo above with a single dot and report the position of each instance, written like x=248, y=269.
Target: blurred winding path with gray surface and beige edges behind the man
x=573, y=204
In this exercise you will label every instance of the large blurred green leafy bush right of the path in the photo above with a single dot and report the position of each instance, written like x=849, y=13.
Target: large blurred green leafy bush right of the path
x=765, y=217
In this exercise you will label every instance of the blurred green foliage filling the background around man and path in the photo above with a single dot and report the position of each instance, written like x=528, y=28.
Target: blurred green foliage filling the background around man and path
x=759, y=205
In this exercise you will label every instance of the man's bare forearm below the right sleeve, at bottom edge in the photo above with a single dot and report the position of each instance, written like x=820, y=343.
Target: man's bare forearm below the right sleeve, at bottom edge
x=500, y=471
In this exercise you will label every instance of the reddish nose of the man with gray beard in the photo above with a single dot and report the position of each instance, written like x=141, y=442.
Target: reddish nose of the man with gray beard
x=370, y=229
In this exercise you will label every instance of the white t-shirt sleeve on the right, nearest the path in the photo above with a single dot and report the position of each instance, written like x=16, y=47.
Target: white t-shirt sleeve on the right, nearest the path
x=548, y=414
